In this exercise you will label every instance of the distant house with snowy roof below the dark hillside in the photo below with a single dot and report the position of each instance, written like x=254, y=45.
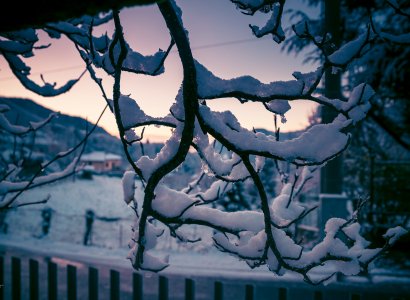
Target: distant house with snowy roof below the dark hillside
x=101, y=161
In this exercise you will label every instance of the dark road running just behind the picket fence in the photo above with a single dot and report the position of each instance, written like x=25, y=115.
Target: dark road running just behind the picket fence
x=234, y=288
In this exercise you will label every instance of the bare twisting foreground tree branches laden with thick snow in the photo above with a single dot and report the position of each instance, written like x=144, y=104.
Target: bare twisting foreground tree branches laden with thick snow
x=260, y=238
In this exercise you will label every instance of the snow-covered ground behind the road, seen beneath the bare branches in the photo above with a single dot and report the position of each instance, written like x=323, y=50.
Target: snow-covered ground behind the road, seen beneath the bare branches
x=112, y=228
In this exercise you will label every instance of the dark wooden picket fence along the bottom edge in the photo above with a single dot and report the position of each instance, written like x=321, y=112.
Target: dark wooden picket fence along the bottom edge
x=115, y=285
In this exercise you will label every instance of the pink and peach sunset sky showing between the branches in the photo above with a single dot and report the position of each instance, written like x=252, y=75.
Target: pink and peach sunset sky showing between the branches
x=221, y=40
